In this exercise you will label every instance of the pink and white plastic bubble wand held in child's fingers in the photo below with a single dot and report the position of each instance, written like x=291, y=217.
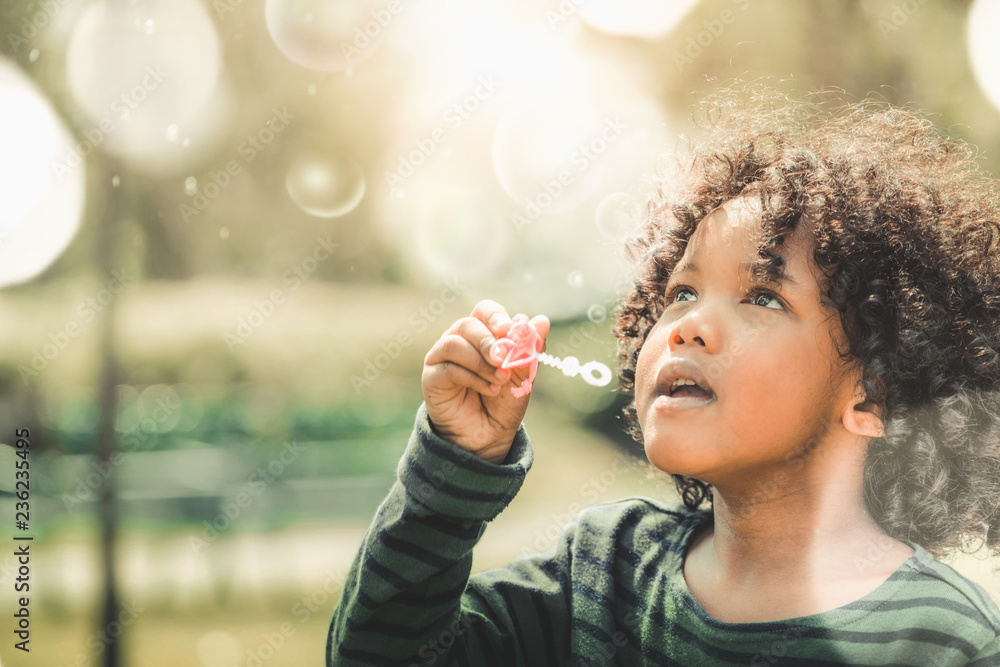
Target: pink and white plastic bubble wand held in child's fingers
x=522, y=347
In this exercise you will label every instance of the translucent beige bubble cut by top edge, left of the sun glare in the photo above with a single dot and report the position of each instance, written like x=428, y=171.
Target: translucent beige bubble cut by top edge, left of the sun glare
x=327, y=35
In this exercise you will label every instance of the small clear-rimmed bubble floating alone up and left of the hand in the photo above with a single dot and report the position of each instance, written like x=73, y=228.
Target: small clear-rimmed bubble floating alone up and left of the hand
x=325, y=187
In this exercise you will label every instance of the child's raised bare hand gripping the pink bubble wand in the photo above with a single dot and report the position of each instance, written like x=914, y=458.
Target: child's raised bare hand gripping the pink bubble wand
x=467, y=393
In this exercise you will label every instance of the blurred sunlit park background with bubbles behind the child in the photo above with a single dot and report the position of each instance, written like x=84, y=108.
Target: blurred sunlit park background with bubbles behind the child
x=231, y=229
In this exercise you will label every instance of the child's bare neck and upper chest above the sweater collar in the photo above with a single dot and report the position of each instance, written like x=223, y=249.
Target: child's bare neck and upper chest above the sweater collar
x=805, y=549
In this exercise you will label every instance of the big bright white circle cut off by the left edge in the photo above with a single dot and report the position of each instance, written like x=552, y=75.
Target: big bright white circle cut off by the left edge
x=41, y=196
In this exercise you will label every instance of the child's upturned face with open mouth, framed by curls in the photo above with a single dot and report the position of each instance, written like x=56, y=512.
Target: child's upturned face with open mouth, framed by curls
x=769, y=359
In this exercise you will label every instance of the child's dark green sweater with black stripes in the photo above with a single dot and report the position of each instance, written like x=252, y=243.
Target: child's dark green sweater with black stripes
x=611, y=591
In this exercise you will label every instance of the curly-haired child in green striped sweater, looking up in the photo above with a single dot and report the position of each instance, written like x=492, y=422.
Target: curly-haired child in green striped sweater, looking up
x=829, y=283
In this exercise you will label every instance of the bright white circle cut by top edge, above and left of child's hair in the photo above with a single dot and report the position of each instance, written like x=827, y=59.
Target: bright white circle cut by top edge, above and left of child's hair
x=636, y=18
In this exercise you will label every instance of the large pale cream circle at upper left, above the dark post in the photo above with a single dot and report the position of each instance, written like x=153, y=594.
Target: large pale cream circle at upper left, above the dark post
x=145, y=75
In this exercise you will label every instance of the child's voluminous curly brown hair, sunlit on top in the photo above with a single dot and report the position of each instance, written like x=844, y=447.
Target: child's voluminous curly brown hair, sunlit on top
x=905, y=239
